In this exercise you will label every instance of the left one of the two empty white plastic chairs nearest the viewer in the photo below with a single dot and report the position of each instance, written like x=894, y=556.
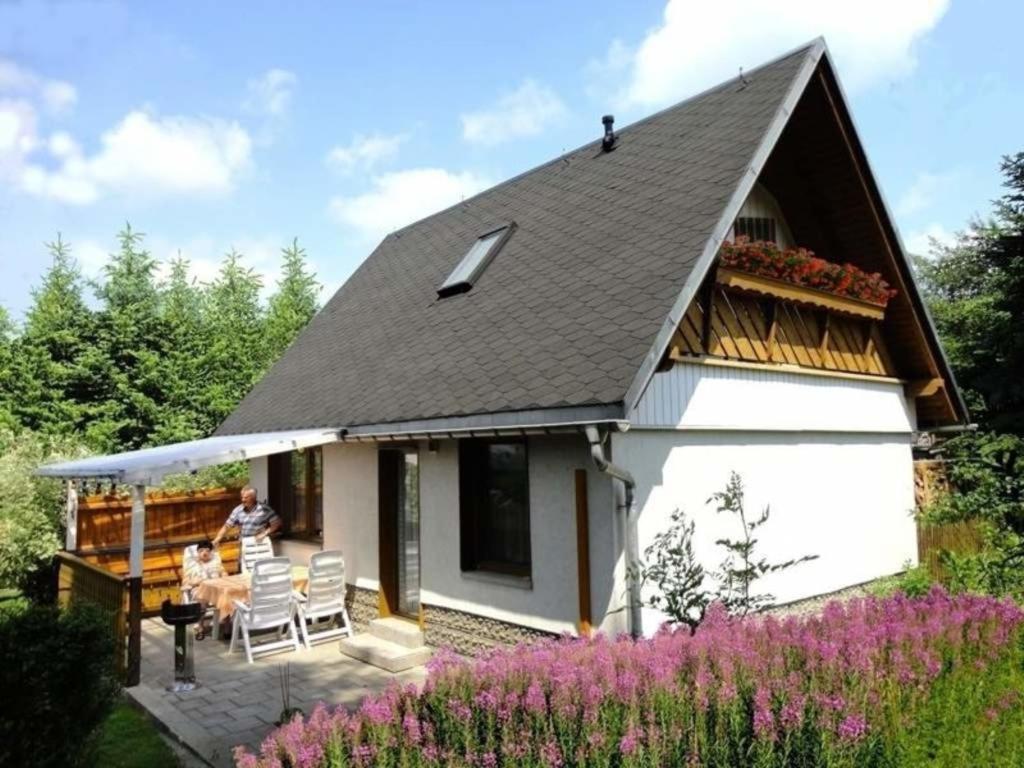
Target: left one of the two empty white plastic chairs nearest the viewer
x=272, y=607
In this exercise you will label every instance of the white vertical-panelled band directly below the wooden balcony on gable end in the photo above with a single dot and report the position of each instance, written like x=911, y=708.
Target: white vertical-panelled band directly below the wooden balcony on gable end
x=706, y=397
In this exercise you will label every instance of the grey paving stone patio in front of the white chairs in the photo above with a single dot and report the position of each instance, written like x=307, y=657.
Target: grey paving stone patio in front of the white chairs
x=238, y=703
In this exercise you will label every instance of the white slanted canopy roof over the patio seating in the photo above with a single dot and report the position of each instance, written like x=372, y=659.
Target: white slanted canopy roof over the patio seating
x=149, y=466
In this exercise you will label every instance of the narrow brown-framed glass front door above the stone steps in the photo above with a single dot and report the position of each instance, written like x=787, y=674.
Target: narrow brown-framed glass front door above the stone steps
x=400, y=532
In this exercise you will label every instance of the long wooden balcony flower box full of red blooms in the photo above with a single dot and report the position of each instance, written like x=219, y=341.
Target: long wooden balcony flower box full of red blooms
x=797, y=275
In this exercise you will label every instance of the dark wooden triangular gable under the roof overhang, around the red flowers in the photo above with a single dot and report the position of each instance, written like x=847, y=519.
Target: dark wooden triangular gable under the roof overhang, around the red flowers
x=817, y=181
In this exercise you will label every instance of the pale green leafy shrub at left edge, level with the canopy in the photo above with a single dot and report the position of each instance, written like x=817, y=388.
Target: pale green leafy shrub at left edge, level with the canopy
x=32, y=515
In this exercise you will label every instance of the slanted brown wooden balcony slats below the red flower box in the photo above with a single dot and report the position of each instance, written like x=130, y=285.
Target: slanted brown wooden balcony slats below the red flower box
x=755, y=330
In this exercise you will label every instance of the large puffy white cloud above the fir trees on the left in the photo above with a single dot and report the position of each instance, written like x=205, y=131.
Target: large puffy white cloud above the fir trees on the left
x=146, y=155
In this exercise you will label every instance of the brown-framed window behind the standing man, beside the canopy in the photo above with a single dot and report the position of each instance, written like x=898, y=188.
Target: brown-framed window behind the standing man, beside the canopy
x=296, y=491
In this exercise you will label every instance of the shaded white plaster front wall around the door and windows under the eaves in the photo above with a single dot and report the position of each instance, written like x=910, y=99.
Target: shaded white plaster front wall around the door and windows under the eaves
x=550, y=601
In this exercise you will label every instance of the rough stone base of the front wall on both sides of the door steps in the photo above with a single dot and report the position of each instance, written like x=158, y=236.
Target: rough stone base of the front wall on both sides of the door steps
x=467, y=634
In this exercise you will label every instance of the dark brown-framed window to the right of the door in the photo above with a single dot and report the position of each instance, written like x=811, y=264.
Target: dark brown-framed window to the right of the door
x=494, y=501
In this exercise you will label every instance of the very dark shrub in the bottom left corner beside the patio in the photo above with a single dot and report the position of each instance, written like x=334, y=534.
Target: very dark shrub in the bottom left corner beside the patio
x=59, y=685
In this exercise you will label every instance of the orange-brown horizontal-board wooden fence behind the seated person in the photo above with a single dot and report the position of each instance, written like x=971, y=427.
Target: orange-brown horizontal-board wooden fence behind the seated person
x=173, y=523
